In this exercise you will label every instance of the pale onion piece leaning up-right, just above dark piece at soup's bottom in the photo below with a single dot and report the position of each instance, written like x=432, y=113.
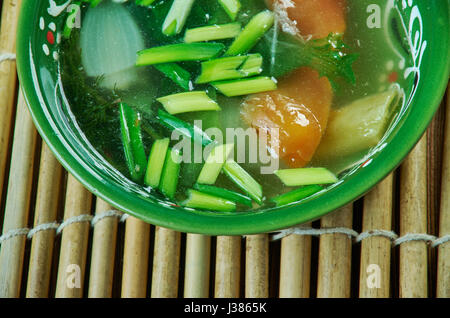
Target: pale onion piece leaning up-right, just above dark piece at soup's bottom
x=214, y=163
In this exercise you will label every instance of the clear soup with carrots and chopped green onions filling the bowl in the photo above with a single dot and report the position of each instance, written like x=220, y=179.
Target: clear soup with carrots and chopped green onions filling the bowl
x=231, y=105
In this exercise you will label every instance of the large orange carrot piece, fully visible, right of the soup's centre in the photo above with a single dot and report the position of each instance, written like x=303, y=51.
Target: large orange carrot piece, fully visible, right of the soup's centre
x=299, y=109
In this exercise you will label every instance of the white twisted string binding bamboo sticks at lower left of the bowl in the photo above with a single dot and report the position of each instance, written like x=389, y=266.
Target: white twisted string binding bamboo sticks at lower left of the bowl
x=59, y=227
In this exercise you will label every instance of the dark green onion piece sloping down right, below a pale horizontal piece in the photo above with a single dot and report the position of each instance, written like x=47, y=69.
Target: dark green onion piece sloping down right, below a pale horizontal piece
x=184, y=128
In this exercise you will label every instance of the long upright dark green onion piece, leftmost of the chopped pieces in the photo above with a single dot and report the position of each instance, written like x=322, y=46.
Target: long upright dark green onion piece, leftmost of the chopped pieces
x=130, y=124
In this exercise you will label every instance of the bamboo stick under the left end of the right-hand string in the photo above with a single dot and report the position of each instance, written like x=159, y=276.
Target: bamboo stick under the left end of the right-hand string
x=295, y=266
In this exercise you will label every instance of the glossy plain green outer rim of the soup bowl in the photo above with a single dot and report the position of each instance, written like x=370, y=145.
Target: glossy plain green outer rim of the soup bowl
x=430, y=92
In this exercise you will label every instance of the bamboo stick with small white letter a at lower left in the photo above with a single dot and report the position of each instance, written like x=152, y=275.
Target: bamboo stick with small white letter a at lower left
x=74, y=242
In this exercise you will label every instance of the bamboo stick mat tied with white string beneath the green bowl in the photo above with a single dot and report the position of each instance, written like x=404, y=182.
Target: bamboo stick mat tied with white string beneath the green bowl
x=58, y=240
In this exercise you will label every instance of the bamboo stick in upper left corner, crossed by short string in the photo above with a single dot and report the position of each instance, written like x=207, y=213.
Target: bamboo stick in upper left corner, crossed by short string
x=8, y=78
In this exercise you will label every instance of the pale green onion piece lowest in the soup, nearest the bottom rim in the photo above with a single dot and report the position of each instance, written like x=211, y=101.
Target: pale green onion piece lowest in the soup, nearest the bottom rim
x=203, y=201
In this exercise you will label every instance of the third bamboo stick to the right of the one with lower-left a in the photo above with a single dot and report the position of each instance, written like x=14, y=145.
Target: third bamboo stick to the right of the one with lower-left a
x=166, y=262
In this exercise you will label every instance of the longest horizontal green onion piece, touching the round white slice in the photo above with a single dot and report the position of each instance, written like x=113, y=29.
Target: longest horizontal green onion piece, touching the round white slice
x=178, y=53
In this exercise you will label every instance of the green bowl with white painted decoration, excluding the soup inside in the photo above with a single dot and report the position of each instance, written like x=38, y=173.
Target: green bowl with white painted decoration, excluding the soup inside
x=40, y=25
